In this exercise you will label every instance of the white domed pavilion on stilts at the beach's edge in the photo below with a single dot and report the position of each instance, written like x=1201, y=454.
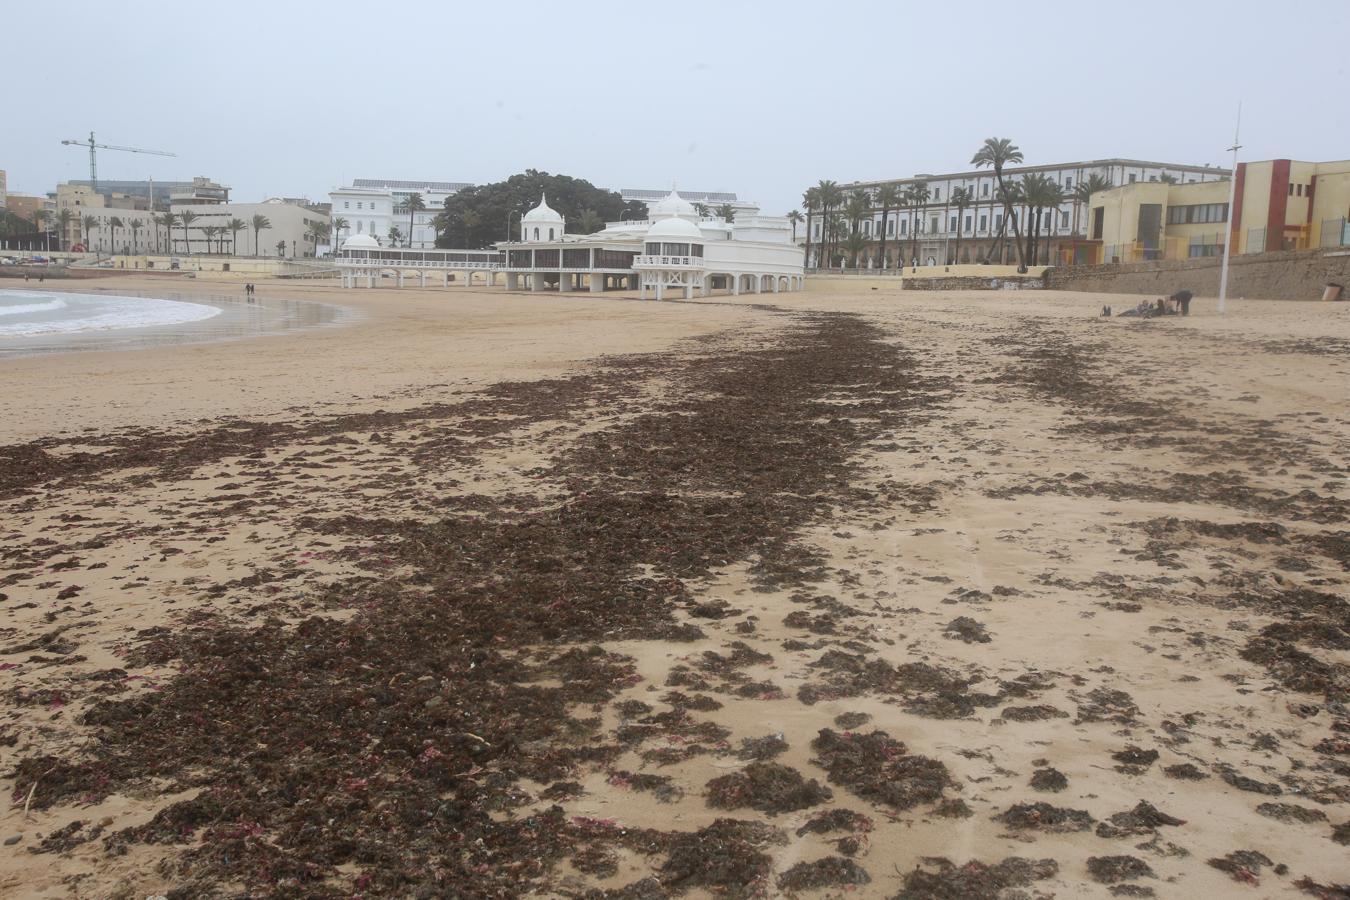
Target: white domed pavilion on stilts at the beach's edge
x=674, y=252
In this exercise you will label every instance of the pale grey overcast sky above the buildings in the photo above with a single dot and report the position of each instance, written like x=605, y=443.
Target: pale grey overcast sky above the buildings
x=761, y=99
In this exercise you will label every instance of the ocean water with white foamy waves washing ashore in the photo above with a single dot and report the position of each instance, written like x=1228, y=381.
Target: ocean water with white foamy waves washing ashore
x=47, y=322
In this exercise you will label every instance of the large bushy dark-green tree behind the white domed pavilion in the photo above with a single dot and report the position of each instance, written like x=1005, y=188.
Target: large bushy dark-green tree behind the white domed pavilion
x=492, y=204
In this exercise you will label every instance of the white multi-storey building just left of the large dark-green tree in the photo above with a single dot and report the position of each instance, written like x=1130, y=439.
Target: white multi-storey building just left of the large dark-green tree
x=376, y=207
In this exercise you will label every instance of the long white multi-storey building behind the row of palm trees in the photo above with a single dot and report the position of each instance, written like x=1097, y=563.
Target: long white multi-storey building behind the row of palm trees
x=931, y=235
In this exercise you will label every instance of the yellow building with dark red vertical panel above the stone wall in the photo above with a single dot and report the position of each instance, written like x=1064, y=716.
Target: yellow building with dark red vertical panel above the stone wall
x=1280, y=204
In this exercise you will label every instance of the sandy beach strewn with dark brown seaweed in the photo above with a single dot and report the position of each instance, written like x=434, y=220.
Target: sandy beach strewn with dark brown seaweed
x=853, y=592
